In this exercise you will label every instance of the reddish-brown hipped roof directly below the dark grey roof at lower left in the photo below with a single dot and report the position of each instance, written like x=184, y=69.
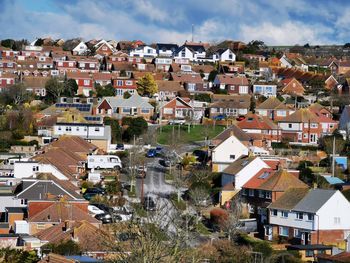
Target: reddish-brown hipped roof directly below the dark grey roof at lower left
x=61, y=211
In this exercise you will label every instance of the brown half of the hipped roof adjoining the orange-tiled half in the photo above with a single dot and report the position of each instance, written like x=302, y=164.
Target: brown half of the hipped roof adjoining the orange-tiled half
x=281, y=181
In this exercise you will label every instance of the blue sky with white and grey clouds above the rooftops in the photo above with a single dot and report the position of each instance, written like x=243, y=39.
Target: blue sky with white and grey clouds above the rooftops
x=276, y=22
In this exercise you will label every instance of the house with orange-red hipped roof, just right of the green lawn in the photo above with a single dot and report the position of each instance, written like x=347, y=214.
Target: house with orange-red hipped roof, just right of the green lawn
x=261, y=126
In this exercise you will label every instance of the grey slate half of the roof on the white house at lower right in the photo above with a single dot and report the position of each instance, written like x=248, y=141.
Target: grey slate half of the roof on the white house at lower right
x=314, y=200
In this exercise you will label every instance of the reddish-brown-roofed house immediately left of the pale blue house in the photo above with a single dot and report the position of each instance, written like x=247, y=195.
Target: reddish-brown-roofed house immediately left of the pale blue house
x=233, y=85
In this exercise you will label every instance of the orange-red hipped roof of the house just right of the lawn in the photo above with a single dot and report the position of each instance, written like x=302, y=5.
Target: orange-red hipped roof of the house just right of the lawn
x=254, y=121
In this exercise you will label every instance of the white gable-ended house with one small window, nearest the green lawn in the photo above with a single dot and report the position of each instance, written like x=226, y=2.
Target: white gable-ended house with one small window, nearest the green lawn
x=227, y=152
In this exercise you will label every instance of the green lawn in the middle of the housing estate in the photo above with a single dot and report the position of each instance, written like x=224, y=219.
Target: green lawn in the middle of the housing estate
x=179, y=133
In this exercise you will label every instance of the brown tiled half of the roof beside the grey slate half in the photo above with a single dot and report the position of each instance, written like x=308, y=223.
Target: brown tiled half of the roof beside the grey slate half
x=289, y=199
